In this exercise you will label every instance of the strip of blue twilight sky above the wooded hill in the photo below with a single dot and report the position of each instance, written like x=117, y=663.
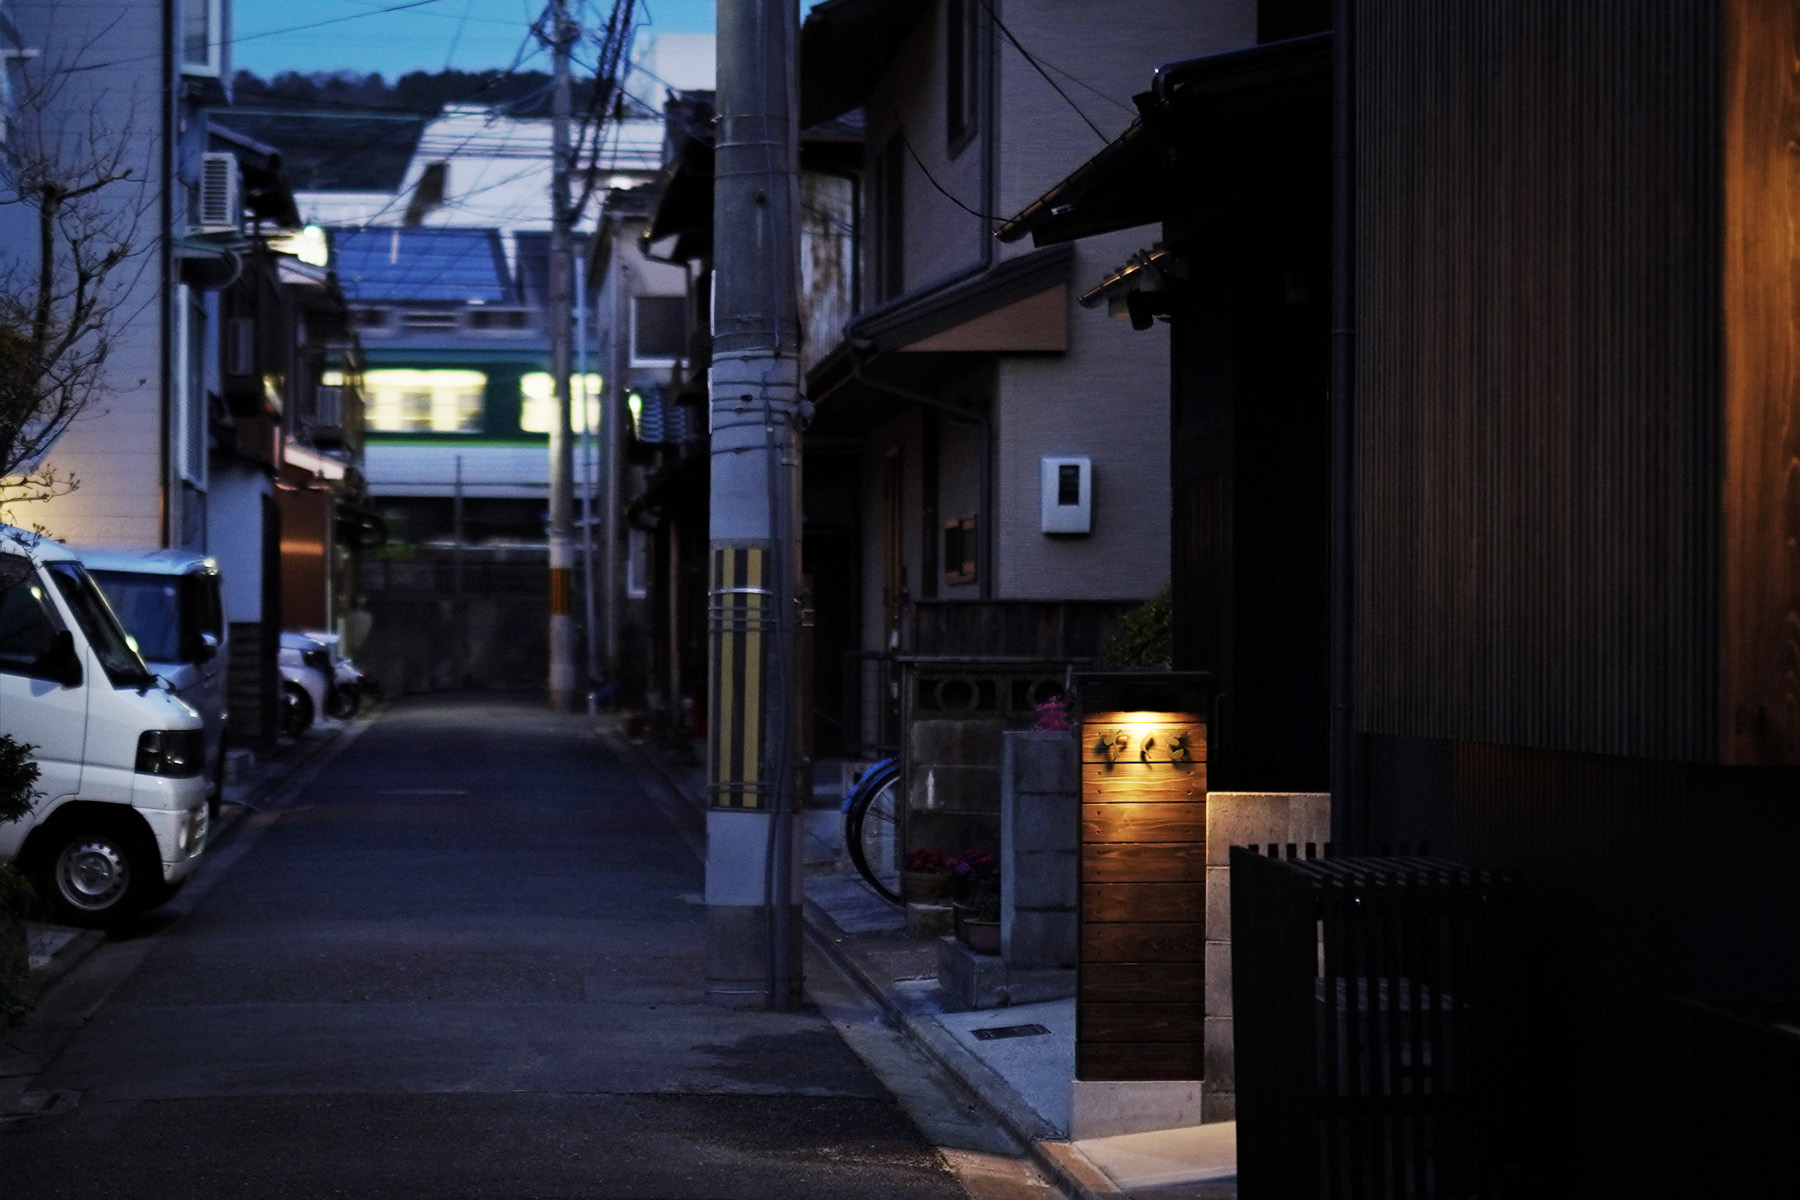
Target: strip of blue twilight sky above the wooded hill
x=395, y=37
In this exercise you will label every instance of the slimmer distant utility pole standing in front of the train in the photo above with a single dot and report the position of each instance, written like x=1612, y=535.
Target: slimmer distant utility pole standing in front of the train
x=561, y=31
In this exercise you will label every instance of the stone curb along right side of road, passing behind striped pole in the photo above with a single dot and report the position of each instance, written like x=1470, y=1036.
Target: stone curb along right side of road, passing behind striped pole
x=1066, y=1167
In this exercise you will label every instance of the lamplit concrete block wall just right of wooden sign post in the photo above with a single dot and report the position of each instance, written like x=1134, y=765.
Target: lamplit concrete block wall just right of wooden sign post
x=1243, y=819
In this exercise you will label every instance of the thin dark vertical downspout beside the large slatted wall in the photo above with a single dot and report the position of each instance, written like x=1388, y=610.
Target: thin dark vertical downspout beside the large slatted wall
x=1349, y=801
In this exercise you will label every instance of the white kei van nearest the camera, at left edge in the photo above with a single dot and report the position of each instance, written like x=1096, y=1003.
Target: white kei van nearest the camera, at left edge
x=121, y=810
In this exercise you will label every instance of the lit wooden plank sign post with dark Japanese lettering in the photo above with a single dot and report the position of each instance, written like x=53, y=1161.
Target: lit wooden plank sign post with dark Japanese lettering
x=1142, y=985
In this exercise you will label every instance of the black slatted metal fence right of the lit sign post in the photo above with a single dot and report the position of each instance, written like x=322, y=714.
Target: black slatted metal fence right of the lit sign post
x=1369, y=1003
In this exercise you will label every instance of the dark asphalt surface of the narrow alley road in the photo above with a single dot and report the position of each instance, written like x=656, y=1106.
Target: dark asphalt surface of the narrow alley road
x=465, y=960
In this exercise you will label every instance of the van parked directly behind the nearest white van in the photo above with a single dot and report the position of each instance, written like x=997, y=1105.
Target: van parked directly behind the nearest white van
x=170, y=604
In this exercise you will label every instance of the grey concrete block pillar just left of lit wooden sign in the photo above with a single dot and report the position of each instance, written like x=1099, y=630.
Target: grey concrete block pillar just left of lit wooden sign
x=1039, y=850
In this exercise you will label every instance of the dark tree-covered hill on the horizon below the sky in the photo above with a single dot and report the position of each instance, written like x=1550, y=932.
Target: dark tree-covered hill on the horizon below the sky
x=526, y=93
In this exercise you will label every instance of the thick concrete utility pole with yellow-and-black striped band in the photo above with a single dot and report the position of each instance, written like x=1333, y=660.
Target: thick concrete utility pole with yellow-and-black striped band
x=757, y=413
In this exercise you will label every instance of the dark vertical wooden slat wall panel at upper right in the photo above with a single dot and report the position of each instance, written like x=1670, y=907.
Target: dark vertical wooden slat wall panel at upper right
x=1538, y=436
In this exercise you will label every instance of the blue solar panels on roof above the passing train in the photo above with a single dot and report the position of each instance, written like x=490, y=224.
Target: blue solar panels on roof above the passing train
x=422, y=265
